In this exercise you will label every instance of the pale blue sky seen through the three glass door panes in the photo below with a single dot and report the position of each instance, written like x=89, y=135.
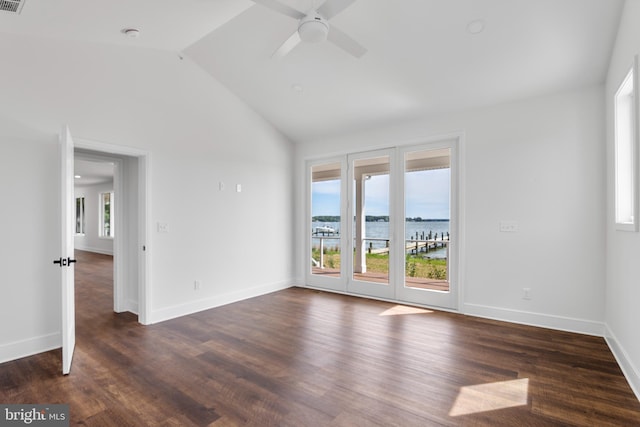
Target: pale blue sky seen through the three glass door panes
x=427, y=195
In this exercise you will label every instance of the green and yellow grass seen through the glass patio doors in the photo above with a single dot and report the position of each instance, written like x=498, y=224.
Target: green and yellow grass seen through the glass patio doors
x=415, y=266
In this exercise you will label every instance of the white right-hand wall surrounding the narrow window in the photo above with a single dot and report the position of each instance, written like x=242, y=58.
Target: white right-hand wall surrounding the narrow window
x=623, y=270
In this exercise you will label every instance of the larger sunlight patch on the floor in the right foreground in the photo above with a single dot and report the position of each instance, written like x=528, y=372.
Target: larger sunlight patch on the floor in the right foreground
x=490, y=397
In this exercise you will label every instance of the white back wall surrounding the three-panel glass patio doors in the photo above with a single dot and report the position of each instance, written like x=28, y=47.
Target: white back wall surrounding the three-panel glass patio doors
x=538, y=162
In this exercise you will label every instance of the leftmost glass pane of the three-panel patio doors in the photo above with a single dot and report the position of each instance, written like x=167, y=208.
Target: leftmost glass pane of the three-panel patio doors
x=326, y=254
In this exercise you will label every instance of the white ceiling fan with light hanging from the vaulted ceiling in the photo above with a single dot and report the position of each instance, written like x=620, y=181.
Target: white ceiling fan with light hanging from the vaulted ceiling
x=313, y=26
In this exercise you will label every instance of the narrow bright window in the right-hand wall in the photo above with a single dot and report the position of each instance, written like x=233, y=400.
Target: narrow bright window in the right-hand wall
x=625, y=155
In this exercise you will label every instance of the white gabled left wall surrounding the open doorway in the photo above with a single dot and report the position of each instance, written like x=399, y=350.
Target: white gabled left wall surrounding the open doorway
x=196, y=133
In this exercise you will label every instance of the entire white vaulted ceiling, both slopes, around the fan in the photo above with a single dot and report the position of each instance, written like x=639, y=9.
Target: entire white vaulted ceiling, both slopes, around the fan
x=420, y=59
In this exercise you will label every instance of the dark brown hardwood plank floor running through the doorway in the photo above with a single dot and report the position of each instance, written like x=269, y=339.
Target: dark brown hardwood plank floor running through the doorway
x=305, y=358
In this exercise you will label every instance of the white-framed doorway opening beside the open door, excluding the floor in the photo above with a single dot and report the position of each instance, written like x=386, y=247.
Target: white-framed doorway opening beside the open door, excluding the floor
x=119, y=220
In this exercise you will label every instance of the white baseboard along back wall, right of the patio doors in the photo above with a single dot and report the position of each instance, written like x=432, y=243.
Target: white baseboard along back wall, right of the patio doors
x=568, y=324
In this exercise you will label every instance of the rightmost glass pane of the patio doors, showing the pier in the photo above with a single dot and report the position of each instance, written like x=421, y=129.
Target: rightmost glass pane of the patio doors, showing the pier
x=427, y=187
